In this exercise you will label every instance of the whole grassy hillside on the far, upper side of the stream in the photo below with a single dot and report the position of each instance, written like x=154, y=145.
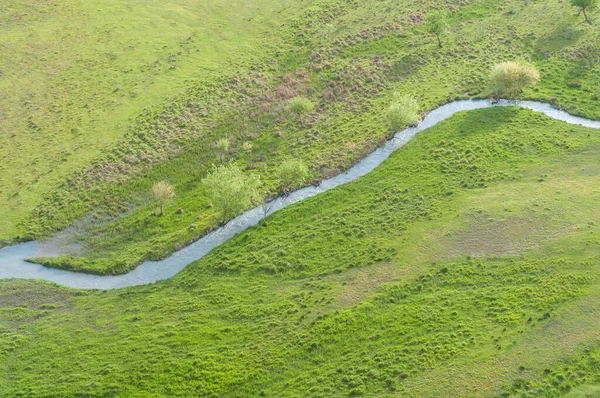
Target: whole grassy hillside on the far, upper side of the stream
x=227, y=73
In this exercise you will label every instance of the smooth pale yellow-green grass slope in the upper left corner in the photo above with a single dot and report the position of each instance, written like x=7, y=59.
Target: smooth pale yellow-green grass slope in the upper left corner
x=75, y=75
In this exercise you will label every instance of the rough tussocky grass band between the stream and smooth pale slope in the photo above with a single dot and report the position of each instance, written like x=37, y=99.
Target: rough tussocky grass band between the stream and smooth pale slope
x=348, y=59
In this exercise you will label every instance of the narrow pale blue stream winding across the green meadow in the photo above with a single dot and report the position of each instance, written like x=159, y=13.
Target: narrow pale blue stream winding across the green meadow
x=12, y=258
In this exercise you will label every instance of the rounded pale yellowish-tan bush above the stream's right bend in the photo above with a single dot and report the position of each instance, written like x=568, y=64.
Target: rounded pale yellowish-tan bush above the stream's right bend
x=508, y=79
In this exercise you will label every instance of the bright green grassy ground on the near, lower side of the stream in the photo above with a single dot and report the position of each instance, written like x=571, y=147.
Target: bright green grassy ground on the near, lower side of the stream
x=466, y=265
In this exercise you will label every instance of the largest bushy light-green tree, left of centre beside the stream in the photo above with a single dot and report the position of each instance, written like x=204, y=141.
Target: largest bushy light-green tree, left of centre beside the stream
x=230, y=190
